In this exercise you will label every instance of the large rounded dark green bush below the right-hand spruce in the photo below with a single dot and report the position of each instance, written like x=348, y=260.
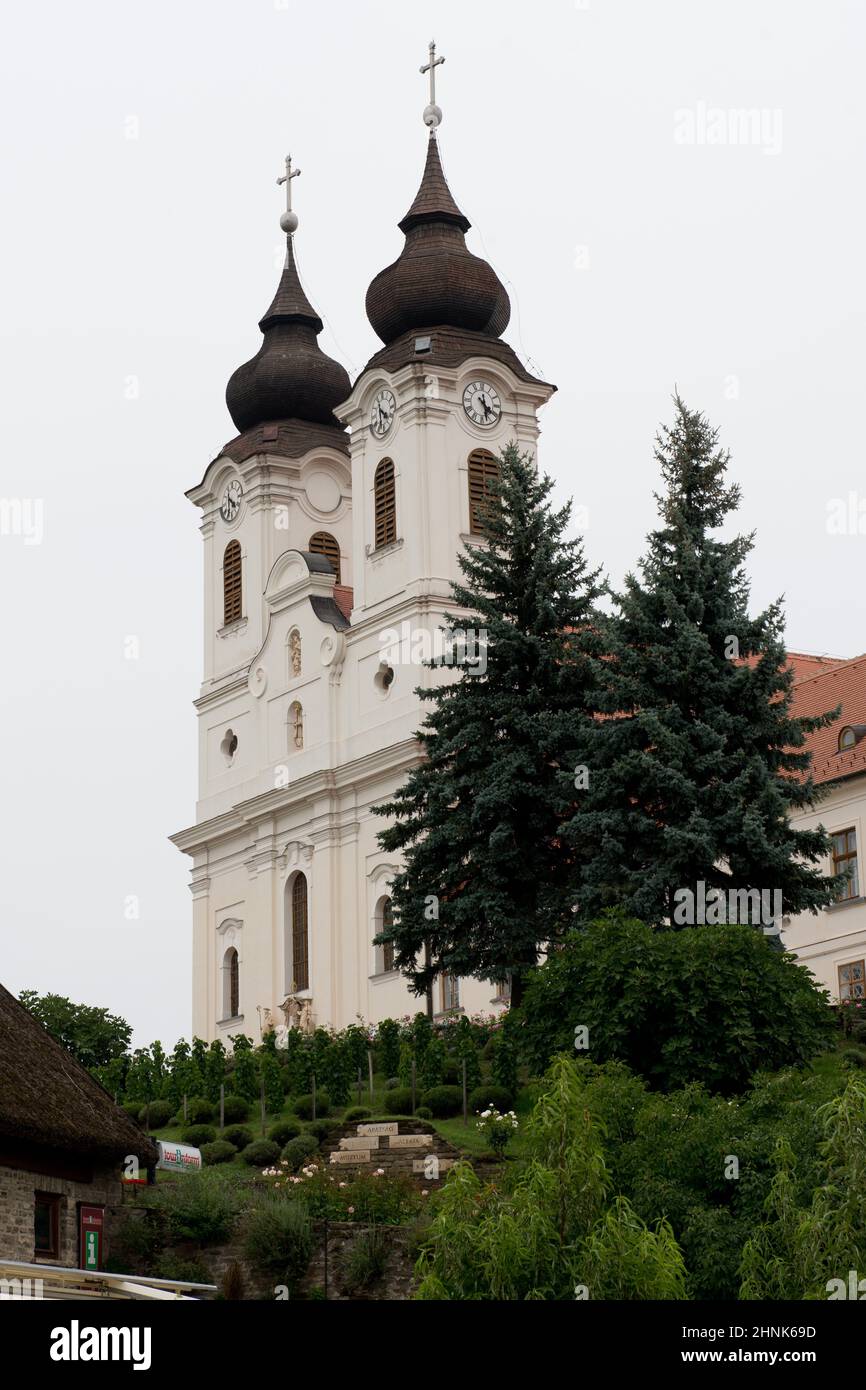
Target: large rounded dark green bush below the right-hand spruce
x=635, y=989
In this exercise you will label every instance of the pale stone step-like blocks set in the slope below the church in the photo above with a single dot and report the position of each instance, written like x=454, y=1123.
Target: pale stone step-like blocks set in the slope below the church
x=400, y=1146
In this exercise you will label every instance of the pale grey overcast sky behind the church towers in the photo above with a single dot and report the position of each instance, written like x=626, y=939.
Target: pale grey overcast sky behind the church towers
x=648, y=238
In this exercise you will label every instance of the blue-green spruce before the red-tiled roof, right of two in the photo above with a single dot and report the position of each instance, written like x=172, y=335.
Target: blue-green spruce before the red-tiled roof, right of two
x=696, y=774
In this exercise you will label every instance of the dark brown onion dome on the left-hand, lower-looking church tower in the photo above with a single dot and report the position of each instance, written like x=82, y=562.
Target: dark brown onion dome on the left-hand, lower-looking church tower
x=290, y=377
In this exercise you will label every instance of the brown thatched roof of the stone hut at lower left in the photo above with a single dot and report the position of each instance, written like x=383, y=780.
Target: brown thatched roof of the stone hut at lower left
x=48, y=1099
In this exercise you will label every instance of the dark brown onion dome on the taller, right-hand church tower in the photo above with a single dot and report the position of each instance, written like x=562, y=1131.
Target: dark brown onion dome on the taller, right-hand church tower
x=437, y=280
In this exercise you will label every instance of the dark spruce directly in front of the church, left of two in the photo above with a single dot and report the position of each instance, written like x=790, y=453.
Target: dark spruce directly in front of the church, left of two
x=486, y=878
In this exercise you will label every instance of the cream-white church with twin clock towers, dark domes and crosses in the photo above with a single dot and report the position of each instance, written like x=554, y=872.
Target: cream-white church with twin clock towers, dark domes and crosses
x=329, y=561
